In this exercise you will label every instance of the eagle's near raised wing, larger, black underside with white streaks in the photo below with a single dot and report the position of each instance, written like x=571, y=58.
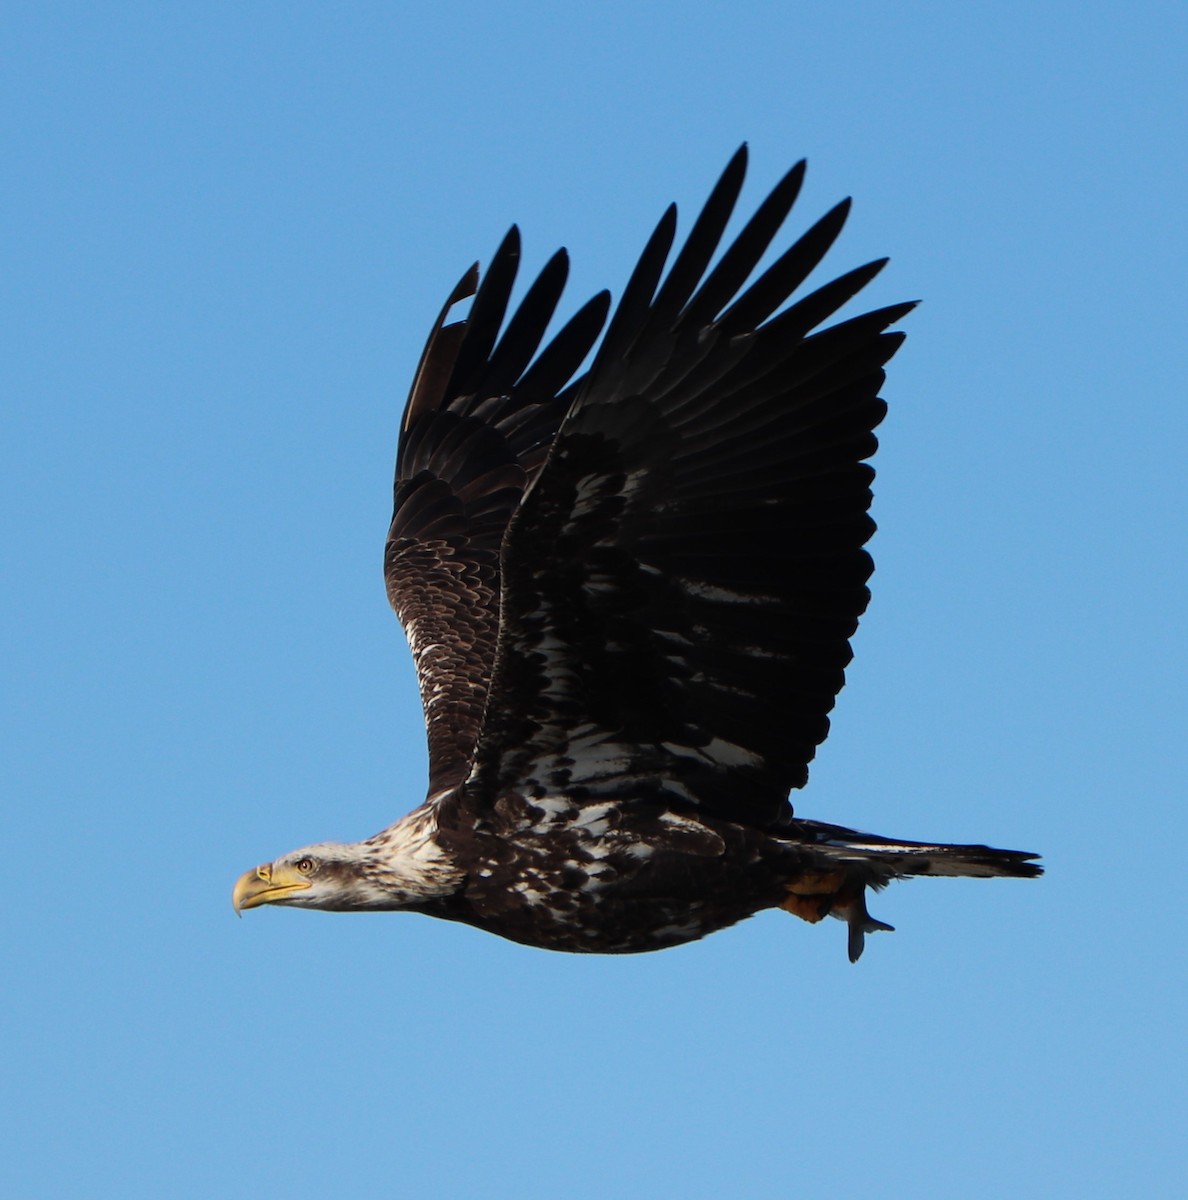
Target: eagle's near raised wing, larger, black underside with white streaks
x=682, y=581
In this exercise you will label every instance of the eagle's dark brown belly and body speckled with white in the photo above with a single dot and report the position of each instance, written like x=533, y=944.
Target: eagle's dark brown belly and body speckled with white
x=614, y=879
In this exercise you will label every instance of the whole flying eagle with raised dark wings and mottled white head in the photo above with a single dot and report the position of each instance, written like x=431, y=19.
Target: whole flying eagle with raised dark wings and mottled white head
x=629, y=592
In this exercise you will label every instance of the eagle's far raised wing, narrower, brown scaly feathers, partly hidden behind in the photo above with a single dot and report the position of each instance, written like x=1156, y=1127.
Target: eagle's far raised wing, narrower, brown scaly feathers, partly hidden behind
x=481, y=419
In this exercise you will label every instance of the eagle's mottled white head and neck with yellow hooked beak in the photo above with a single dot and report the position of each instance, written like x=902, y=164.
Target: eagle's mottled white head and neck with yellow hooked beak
x=395, y=869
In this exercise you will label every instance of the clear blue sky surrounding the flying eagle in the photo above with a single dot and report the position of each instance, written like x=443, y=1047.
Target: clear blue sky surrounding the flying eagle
x=226, y=231
